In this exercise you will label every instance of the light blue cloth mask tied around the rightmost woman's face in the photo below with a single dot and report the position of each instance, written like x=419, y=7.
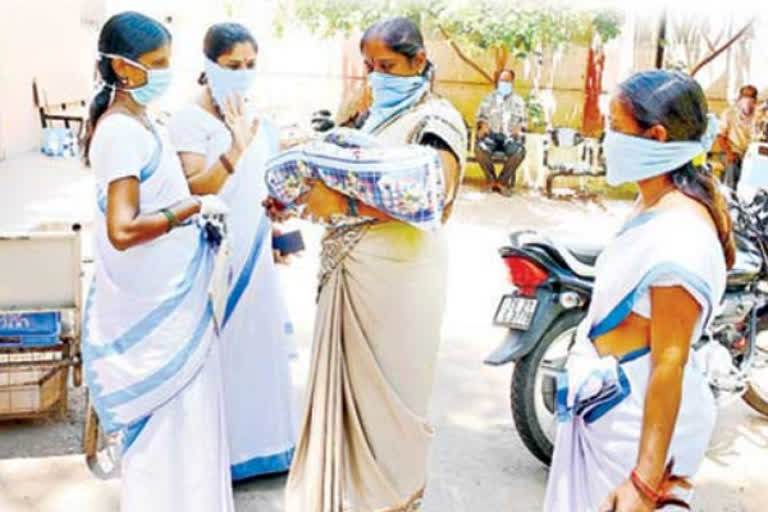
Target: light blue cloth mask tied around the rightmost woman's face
x=631, y=159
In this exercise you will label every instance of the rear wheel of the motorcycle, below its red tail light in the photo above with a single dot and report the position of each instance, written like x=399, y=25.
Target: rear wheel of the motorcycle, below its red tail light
x=532, y=392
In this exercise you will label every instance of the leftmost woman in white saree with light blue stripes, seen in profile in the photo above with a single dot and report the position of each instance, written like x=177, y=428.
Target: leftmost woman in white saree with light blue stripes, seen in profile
x=149, y=343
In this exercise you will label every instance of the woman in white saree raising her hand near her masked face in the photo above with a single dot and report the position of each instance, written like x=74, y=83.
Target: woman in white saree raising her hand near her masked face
x=223, y=147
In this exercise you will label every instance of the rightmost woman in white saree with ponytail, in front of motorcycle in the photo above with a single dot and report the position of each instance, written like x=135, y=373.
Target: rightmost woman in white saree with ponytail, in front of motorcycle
x=635, y=410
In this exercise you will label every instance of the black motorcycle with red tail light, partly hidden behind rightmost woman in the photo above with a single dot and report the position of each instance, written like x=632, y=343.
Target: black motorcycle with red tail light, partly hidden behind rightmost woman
x=552, y=280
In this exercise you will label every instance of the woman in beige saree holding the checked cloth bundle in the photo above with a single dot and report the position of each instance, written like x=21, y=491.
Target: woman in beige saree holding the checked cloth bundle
x=365, y=437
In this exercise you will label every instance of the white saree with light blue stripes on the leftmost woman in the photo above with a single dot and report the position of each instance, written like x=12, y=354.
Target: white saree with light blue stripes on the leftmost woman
x=150, y=347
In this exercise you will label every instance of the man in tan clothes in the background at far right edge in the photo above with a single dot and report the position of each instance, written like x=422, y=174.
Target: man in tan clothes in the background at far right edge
x=736, y=130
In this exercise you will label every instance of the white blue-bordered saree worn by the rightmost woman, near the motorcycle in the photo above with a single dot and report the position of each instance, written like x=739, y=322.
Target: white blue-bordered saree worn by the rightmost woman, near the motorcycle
x=600, y=400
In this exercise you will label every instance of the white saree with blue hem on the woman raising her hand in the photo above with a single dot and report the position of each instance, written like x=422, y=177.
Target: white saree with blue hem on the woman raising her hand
x=257, y=334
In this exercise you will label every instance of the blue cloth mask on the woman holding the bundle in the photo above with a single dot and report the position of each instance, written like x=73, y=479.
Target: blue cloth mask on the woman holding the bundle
x=392, y=94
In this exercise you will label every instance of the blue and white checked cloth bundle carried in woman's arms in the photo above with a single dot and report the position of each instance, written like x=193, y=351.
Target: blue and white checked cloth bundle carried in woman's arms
x=405, y=182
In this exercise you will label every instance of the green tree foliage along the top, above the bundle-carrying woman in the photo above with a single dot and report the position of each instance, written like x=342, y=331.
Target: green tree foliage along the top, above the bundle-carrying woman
x=523, y=27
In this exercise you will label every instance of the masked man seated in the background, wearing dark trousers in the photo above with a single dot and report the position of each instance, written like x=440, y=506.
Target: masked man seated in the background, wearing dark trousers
x=501, y=119
